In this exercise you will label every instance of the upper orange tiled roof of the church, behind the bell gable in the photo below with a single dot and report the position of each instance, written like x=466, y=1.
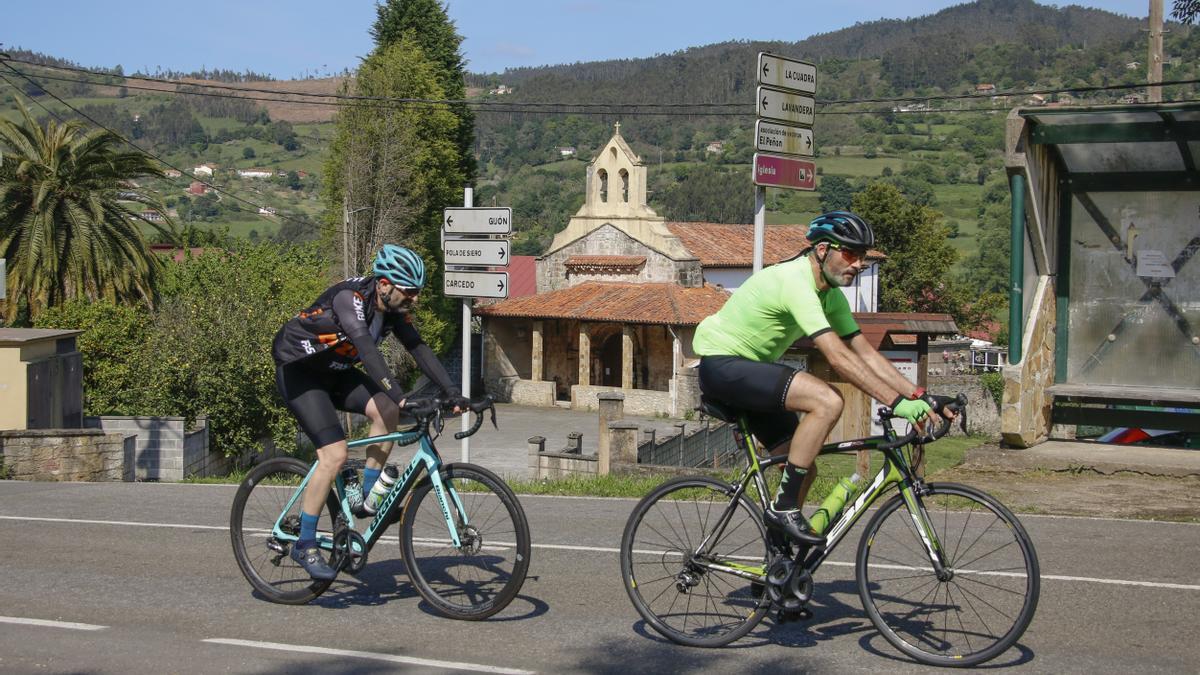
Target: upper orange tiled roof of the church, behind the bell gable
x=733, y=246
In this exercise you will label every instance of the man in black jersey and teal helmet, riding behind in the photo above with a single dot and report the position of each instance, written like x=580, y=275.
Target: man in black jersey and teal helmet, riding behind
x=315, y=355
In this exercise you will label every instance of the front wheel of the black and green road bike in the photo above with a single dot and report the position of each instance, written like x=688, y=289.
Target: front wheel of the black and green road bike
x=987, y=595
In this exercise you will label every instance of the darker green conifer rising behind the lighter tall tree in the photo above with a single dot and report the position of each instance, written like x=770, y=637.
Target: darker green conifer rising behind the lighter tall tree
x=428, y=25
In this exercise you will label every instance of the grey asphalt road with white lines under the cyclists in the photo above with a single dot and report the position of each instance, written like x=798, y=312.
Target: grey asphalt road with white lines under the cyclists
x=140, y=578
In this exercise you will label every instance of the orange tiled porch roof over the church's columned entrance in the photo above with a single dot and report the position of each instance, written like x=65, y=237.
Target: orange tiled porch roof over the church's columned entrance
x=625, y=303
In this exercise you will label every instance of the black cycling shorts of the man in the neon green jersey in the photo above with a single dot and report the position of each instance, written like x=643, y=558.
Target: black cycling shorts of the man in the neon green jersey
x=757, y=389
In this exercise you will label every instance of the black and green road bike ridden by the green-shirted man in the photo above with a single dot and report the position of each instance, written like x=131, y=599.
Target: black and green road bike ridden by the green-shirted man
x=946, y=574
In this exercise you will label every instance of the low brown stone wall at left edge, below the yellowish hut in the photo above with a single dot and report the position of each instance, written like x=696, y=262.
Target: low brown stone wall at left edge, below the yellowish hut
x=67, y=455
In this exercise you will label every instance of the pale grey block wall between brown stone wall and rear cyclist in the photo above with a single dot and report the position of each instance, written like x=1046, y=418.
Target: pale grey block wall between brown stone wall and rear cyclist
x=165, y=450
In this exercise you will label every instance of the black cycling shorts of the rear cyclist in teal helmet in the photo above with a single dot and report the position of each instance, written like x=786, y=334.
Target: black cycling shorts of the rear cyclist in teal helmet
x=315, y=396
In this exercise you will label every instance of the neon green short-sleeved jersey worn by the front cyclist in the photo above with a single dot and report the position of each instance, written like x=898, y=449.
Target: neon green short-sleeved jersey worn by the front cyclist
x=772, y=310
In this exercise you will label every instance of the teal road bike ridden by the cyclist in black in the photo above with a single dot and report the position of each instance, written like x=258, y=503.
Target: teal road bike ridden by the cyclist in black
x=464, y=536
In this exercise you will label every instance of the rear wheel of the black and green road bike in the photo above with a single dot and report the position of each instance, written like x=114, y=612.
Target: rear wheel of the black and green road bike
x=659, y=569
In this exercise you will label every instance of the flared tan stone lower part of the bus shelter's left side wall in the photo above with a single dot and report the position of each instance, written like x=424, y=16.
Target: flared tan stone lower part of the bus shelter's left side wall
x=1025, y=410
